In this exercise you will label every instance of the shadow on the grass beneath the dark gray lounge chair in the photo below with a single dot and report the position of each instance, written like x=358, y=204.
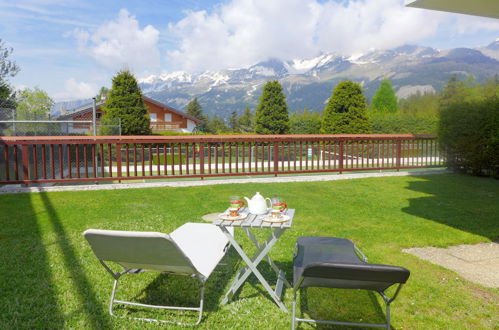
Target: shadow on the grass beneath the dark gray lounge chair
x=342, y=305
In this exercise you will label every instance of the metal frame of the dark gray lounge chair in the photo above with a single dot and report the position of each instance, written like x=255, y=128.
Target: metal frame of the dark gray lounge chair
x=298, y=284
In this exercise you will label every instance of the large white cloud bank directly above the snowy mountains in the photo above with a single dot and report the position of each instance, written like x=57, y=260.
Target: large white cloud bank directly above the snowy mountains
x=243, y=32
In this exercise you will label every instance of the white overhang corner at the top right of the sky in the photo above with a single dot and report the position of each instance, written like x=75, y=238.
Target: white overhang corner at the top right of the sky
x=486, y=8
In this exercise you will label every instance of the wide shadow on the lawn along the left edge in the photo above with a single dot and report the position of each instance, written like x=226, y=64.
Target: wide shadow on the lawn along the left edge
x=28, y=299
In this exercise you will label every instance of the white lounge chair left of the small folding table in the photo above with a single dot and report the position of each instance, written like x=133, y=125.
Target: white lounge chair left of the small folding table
x=194, y=250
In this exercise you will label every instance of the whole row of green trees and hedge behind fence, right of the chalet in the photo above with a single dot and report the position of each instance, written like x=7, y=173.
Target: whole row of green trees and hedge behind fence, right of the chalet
x=348, y=112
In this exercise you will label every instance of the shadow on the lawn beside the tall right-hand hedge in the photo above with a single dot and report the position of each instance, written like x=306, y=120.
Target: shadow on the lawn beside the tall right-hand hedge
x=463, y=202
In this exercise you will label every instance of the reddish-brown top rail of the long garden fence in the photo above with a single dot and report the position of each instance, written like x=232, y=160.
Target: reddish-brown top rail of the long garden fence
x=206, y=138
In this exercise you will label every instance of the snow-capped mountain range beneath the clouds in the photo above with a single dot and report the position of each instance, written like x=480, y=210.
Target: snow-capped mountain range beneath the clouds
x=309, y=82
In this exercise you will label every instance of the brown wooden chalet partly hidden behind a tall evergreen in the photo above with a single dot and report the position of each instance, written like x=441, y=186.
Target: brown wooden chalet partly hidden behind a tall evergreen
x=163, y=117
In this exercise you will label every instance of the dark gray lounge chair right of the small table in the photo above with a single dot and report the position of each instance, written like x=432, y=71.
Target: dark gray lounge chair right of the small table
x=335, y=263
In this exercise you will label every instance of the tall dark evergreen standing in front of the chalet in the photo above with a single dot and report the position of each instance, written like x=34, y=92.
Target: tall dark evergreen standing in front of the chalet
x=125, y=102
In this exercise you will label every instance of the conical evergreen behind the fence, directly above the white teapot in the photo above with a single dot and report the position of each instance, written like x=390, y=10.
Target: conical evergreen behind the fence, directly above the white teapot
x=272, y=112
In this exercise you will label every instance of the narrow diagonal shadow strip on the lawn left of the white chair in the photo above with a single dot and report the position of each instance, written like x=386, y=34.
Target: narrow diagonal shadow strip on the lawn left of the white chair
x=84, y=290
